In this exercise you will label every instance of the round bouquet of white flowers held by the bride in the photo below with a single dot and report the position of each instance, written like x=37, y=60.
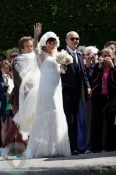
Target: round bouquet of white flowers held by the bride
x=64, y=58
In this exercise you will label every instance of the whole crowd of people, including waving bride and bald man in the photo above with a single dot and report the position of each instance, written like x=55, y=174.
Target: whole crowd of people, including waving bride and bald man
x=54, y=112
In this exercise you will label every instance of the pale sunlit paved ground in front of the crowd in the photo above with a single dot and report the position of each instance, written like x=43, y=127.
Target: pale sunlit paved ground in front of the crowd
x=83, y=164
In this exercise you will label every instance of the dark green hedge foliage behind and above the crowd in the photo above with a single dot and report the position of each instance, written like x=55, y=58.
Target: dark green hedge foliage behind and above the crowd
x=93, y=20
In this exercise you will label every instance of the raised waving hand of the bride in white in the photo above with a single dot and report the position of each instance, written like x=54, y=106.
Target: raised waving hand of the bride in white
x=37, y=29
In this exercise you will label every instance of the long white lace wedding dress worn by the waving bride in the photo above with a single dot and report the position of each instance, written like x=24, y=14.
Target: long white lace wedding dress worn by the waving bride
x=49, y=133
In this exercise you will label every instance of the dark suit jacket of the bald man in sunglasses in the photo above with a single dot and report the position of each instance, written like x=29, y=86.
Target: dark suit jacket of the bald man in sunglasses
x=71, y=80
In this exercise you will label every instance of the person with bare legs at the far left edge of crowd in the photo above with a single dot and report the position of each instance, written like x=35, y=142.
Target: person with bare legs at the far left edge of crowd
x=6, y=87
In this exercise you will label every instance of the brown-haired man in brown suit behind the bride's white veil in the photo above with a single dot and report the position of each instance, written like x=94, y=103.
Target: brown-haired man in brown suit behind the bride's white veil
x=25, y=46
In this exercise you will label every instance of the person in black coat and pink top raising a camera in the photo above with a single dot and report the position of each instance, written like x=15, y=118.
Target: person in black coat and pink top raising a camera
x=103, y=81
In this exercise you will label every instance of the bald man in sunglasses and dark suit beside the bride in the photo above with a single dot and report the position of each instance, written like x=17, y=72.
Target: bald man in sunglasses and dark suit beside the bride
x=71, y=83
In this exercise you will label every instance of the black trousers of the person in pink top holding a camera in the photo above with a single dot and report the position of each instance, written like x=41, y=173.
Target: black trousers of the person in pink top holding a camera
x=98, y=125
